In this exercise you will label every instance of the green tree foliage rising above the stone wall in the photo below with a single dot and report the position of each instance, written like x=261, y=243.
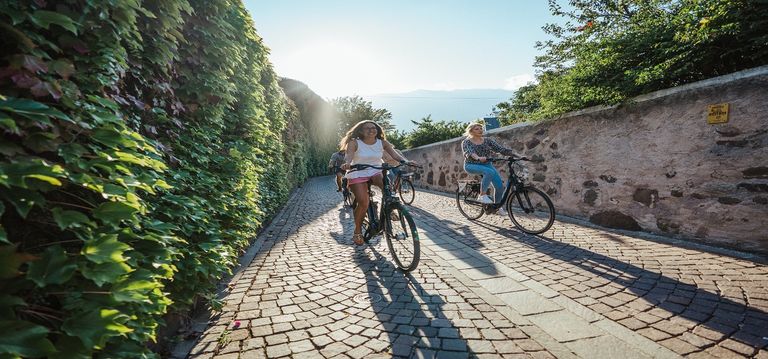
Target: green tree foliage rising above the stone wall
x=611, y=50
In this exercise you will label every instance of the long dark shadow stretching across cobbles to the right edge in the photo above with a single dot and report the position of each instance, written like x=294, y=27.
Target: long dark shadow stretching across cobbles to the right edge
x=723, y=317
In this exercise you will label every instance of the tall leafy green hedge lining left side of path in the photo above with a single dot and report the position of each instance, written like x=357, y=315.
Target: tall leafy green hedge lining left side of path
x=143, y=144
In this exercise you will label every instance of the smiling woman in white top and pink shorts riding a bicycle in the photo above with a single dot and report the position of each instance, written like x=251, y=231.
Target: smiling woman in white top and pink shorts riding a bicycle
x=365, y=144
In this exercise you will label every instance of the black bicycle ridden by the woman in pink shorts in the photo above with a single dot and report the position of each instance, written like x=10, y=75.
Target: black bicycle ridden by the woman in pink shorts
x=394, y=220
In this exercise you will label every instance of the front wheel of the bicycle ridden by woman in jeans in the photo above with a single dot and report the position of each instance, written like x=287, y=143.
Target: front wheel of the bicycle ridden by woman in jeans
x=531, y=210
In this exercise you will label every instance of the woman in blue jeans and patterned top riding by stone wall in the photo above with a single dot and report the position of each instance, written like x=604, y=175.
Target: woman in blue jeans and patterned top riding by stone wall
x=477, y=150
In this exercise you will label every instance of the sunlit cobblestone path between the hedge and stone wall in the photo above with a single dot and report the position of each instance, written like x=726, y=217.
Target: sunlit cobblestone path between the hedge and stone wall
x=482, y=289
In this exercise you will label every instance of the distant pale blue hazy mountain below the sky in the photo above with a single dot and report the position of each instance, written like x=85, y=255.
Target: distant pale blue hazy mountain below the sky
x=459, y=105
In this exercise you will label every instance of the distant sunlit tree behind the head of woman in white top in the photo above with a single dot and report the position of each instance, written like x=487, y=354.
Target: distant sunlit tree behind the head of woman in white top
x=352, y=110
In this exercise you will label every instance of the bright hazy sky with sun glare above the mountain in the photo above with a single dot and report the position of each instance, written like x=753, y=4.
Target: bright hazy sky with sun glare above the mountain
x=363, y=47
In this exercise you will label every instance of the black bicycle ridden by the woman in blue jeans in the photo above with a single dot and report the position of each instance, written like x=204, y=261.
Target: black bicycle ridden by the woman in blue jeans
x=529, y=208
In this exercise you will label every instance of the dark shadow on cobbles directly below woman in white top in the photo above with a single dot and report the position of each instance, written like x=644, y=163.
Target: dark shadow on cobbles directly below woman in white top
x=414, y=320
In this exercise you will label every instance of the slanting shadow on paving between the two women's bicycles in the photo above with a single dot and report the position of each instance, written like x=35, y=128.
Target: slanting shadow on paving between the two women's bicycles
x=458, y=231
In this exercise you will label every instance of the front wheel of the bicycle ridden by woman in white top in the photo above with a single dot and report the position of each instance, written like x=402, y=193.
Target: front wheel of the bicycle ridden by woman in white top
x=402, y=237
